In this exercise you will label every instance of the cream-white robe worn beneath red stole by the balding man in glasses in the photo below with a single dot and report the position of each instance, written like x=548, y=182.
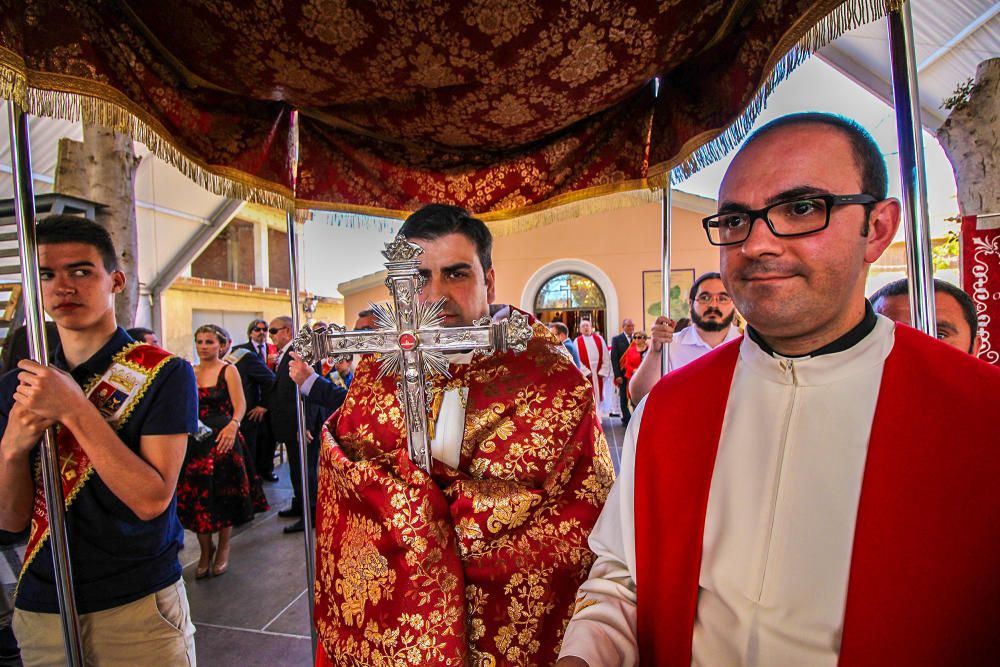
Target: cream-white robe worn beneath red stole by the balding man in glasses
x=780, y=521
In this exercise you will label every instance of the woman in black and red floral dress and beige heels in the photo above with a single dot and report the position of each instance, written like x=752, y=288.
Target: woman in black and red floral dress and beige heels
x=214, y=492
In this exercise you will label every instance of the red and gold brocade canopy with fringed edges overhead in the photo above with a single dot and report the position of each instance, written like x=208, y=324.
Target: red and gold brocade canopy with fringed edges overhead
x=501, y=106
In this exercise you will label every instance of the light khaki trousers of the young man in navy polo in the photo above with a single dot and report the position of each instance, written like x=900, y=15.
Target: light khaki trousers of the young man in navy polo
x=154, y=630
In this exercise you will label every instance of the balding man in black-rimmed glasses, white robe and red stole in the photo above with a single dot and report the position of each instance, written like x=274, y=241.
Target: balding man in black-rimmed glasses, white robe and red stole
x=817, y=492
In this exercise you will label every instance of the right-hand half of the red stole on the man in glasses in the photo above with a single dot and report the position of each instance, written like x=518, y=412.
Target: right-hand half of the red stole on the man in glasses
x=924, y=587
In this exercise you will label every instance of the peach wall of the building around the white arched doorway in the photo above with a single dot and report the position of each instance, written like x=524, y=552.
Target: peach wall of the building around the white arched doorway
x=621, y=243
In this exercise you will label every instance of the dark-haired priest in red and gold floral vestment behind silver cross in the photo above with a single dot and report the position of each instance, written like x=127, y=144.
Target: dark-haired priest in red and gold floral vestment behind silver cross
x=479, y=562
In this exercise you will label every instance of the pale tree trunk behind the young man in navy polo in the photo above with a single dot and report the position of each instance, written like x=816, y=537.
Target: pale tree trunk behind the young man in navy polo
x=102, y=168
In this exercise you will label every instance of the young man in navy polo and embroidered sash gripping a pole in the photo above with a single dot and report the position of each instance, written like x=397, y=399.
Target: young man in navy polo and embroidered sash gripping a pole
x=122, y=412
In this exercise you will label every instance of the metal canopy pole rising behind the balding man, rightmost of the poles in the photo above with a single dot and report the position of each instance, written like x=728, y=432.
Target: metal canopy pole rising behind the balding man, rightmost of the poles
x=913, y=178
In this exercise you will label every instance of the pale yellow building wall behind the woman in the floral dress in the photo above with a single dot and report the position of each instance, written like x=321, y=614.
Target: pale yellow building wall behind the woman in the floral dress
x=182, y=299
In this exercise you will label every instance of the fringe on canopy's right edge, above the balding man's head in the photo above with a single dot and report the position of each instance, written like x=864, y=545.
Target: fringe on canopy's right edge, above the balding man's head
x=790, y=52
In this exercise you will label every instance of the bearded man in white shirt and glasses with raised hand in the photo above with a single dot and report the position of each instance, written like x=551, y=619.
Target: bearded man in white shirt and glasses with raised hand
x=712, y=314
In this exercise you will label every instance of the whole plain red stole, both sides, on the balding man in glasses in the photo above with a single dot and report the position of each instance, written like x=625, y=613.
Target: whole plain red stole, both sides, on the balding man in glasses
x=924, y=584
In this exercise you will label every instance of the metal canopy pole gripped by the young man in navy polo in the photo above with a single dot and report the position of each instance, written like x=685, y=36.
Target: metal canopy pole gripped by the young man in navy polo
x=24, y=213
